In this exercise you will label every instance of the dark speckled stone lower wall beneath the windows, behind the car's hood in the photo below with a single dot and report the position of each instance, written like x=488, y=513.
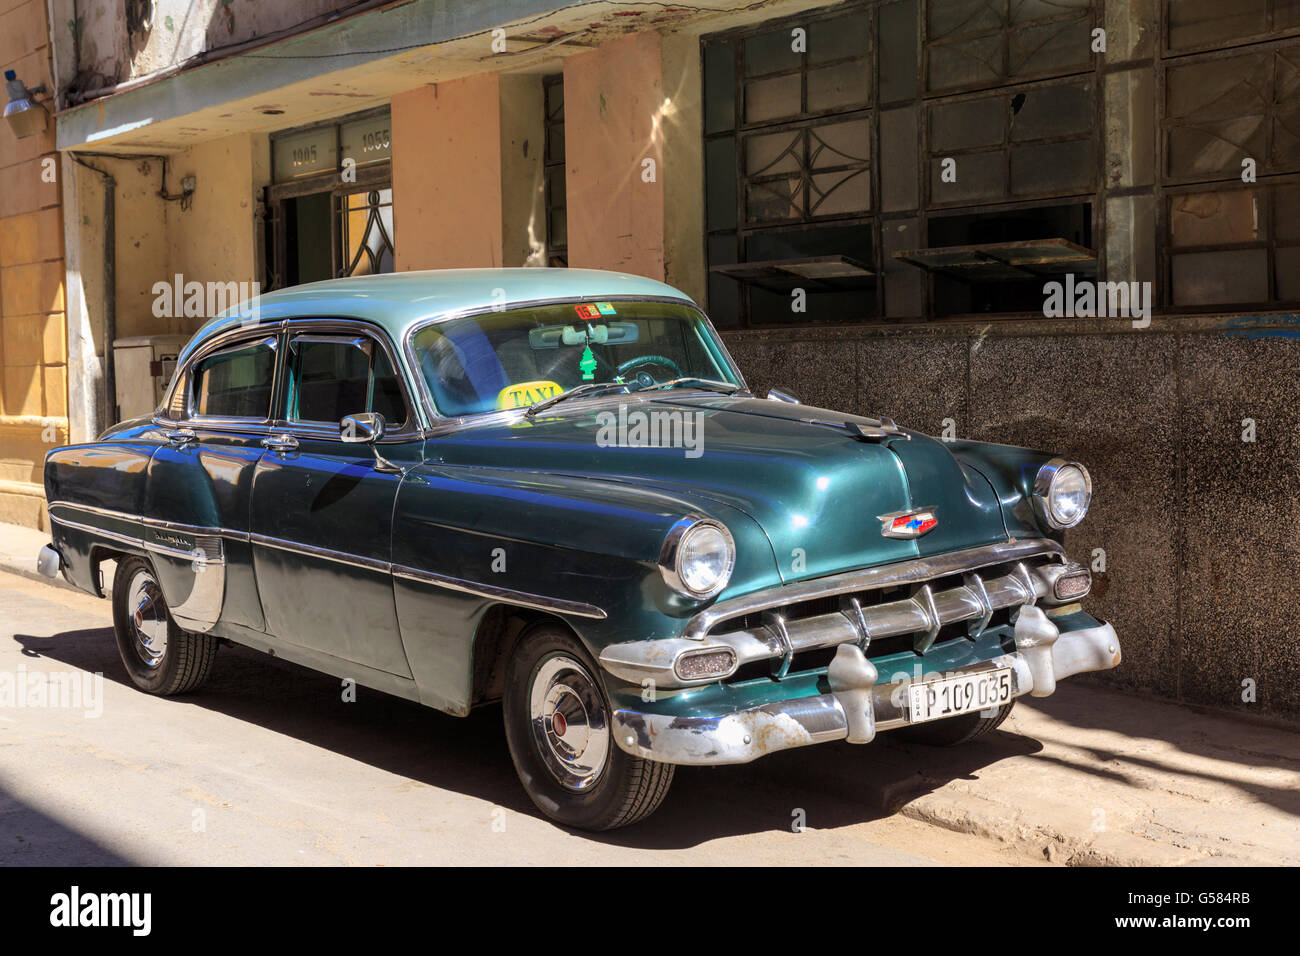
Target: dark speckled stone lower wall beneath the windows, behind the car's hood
x=1198, y=526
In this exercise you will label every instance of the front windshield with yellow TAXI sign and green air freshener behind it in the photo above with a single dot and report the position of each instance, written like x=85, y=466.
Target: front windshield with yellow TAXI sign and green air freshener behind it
x=513, y=360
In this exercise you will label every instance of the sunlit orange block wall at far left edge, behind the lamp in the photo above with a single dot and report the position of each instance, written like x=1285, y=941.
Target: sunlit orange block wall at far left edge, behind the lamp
x=33, y=373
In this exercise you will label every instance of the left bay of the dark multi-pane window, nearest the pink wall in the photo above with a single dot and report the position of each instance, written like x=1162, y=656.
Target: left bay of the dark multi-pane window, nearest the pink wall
x=788, y=155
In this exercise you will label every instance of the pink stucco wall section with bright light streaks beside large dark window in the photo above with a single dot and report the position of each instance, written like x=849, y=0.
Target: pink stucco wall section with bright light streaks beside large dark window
x=613, y=113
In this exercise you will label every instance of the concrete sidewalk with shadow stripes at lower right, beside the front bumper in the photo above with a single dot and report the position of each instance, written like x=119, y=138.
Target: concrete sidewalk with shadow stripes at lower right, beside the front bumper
x=1115, y=780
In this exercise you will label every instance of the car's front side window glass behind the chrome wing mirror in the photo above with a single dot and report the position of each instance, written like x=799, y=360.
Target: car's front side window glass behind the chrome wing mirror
x=339, y=377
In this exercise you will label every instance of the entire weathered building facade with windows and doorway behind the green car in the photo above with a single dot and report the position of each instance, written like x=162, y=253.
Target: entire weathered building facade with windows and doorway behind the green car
x=870, y=198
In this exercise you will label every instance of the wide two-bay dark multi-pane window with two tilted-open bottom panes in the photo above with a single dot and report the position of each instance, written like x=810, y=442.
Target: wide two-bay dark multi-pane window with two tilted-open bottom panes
x=826, y=165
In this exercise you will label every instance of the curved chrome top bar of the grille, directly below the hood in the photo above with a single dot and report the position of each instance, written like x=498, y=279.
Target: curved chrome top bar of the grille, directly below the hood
x=916, y=572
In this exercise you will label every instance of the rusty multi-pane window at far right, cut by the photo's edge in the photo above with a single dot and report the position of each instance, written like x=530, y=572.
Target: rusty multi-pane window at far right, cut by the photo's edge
x=1228, y=114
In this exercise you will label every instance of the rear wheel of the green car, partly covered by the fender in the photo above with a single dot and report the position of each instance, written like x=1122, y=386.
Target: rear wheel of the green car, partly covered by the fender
x=159, y=656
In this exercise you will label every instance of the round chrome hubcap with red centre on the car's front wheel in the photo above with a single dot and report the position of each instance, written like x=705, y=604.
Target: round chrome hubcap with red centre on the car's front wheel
x=570, y=728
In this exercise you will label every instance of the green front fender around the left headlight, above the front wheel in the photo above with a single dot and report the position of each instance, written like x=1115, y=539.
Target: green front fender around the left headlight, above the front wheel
x=567, y=538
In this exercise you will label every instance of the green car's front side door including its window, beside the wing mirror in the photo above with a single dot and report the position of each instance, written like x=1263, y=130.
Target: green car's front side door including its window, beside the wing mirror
x=323, y=507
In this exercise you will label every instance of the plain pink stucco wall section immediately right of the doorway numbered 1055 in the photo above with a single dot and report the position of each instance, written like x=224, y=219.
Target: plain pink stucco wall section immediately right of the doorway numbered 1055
x=447, y=175
